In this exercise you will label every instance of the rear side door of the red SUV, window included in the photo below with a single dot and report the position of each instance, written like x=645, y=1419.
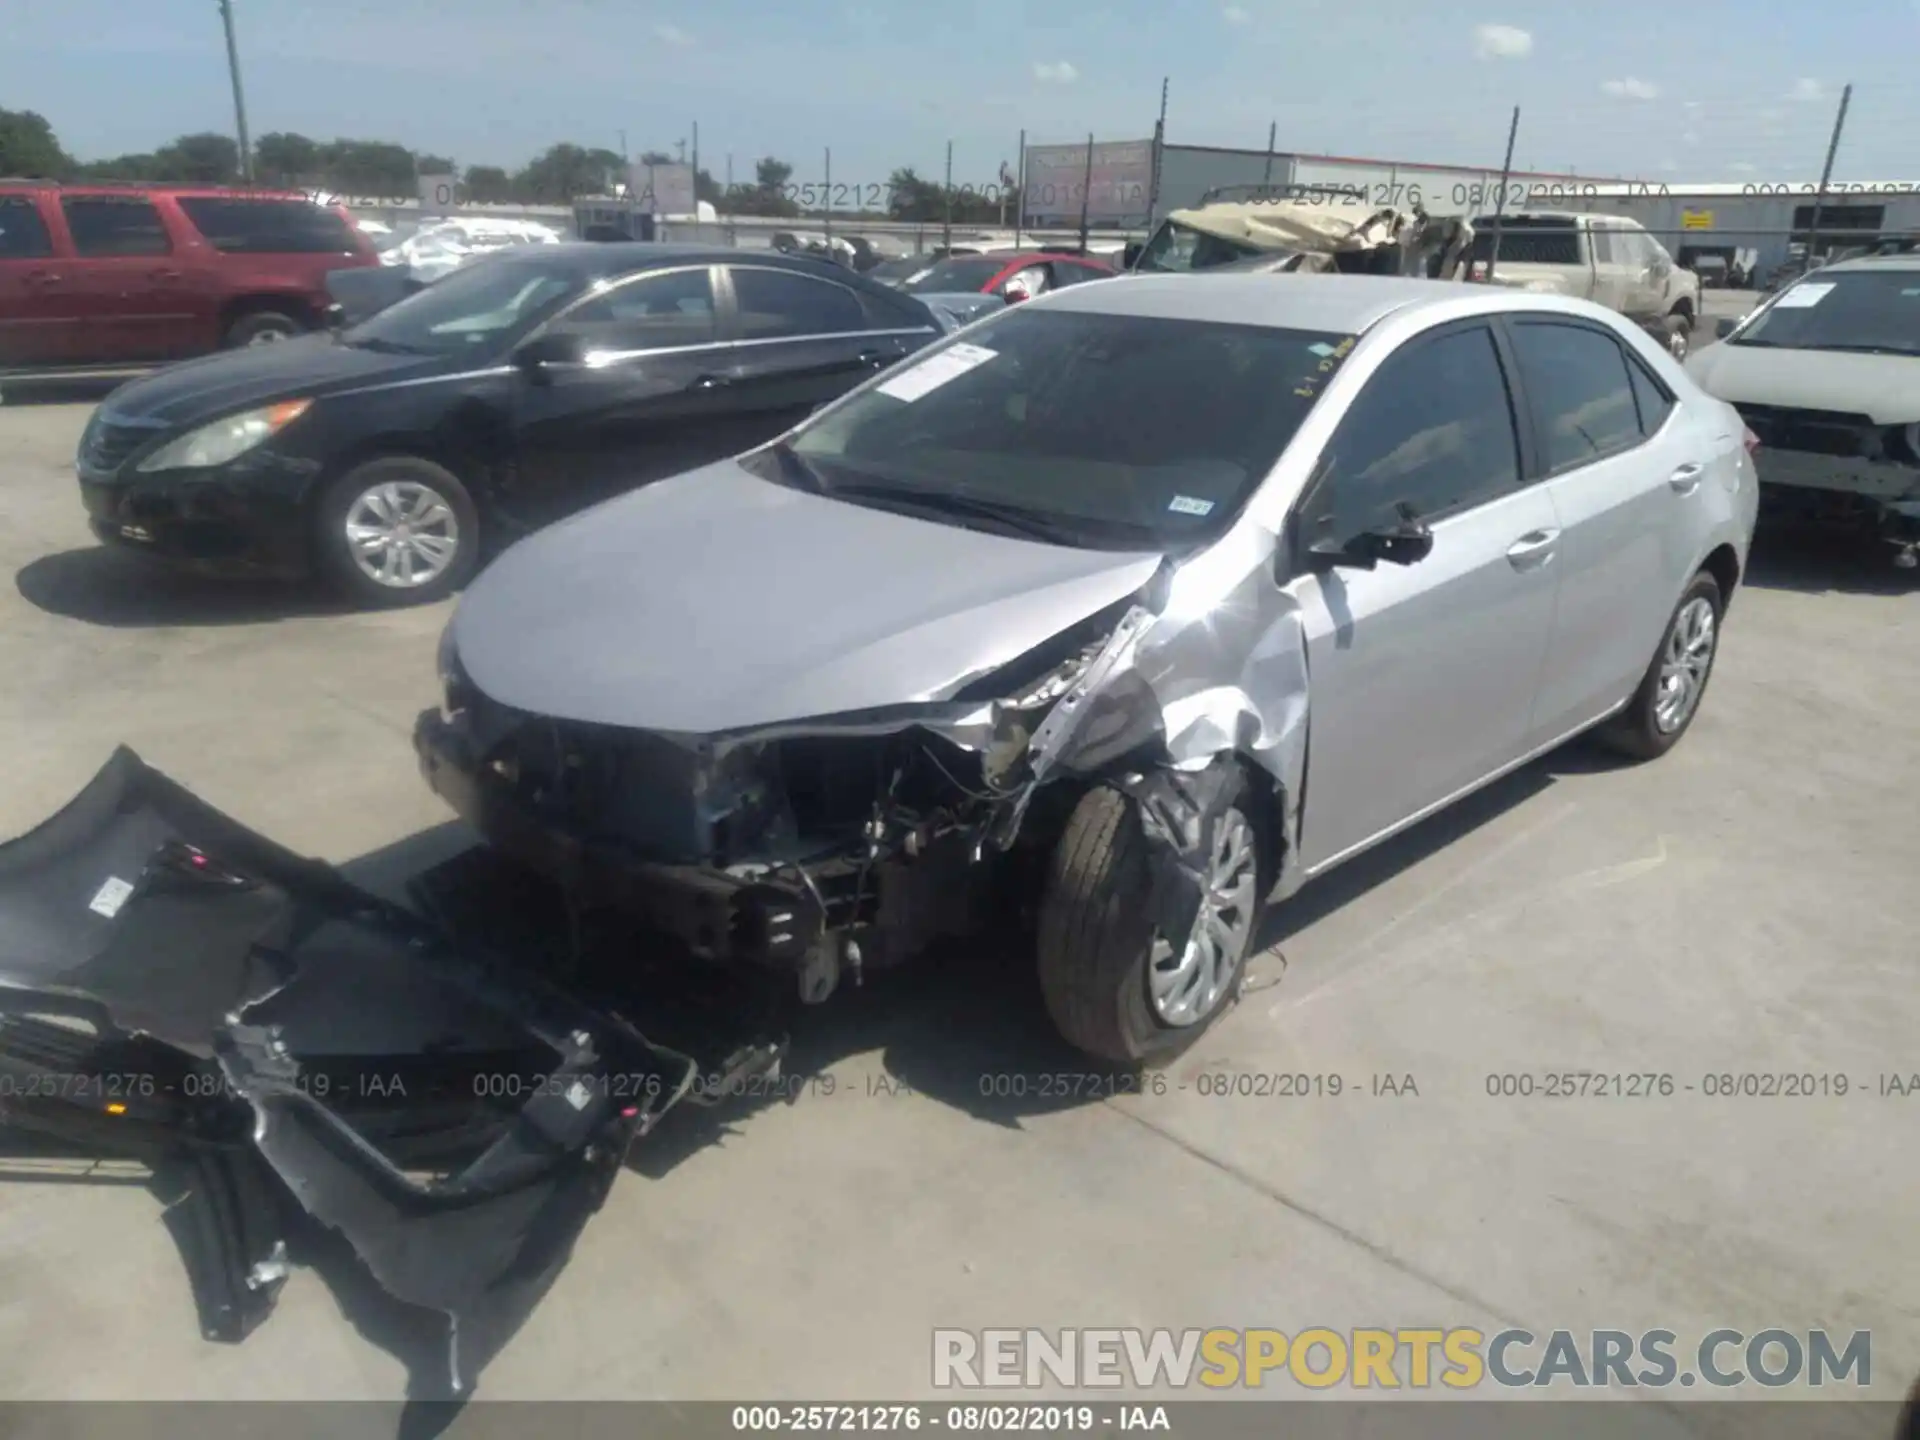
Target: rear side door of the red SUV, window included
x=126, y=281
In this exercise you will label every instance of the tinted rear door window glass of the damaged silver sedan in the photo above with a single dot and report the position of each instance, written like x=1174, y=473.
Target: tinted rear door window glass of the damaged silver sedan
x=1579, y=391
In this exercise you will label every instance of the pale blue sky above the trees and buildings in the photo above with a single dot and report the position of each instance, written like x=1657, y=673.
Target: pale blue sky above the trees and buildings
x=1706, y=91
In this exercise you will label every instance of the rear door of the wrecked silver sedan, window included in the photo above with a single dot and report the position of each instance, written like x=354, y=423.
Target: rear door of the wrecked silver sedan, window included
x=1620, y=458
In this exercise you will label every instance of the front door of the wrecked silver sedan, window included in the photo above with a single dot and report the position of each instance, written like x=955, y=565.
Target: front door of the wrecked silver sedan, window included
x=1420, y=677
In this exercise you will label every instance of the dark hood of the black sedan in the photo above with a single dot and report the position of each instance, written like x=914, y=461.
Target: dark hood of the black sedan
x=260, y=375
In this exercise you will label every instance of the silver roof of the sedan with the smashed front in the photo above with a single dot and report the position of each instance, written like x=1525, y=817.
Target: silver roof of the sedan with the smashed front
x=1337, y=304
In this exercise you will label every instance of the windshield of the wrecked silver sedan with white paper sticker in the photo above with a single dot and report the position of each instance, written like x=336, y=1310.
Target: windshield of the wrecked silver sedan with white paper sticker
x=1111, y=431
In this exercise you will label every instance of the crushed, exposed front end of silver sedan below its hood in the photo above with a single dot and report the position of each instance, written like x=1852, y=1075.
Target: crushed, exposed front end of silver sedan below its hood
x=817, y=848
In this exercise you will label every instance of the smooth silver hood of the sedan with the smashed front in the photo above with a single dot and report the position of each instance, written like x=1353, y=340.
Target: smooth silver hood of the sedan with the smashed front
x=721, y=602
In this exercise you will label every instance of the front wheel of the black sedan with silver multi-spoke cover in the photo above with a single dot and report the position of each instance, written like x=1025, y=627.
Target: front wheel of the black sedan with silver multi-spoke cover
x=398, y=531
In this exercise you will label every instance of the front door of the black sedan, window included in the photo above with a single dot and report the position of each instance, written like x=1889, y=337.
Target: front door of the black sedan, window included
x=619, y=389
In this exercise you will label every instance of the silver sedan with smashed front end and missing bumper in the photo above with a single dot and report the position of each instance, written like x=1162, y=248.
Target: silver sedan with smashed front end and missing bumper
x=1126, y=610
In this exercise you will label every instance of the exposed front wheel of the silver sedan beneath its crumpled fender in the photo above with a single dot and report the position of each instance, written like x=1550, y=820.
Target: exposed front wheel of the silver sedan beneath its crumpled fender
x=1116, y=988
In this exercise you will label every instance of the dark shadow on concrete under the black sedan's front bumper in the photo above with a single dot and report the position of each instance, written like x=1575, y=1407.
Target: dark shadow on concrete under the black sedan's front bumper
x=112, y=588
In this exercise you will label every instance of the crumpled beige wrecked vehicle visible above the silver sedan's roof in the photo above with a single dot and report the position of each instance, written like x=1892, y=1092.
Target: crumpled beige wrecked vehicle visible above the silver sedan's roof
x=1303, y=229
